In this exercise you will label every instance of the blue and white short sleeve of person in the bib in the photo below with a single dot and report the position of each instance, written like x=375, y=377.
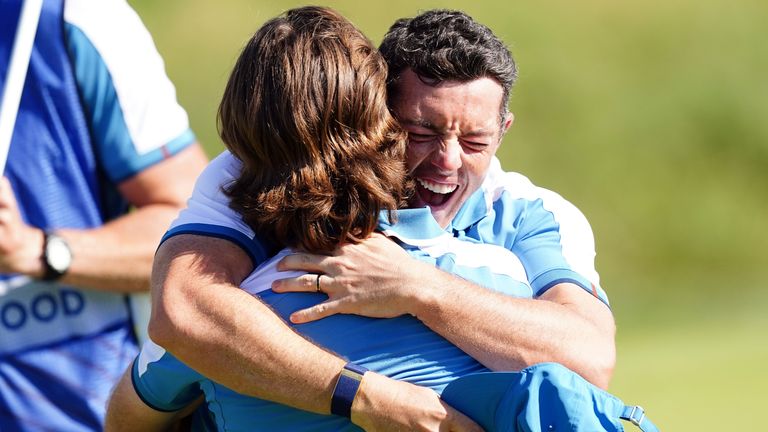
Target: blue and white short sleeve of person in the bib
x=130, y=103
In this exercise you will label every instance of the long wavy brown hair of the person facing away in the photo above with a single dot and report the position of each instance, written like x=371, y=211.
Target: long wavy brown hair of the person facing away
x=305, y=111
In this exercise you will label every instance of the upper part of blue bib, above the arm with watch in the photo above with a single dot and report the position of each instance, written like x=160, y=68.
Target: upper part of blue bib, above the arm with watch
x=51, y=165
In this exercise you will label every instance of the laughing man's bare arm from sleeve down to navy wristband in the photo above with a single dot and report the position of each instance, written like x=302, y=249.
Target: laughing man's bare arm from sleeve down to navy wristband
x=198, y=311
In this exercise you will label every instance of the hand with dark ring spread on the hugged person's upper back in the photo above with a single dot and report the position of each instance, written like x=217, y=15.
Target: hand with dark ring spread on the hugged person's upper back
x=373, y=278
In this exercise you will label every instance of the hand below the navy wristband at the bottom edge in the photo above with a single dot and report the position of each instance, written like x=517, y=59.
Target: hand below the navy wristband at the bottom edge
x=384, y=404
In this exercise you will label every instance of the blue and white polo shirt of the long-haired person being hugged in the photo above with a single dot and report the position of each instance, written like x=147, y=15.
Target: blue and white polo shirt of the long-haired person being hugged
x=402, y=348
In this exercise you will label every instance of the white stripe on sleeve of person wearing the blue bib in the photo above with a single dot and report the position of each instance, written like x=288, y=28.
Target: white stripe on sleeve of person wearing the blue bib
x=147, y=97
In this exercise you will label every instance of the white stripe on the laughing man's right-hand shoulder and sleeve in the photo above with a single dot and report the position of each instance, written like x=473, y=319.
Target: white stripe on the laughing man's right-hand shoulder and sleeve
x=576, y=237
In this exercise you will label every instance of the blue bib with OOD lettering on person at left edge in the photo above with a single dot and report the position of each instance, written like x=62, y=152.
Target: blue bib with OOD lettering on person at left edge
x=61, y=348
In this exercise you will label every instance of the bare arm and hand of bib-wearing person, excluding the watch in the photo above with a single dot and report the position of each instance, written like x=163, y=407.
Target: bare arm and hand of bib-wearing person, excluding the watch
x=118, y=255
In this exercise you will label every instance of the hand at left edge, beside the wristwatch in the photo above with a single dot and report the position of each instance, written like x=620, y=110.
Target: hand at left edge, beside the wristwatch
x=21, y=245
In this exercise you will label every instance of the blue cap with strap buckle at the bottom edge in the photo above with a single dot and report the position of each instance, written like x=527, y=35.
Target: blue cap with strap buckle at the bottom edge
x=544, y=397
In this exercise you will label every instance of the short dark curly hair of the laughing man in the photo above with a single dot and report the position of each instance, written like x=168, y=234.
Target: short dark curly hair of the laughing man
x=443, y=45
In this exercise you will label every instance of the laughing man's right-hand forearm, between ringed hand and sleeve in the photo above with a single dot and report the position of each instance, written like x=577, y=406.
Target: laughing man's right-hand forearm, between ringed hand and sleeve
x=565, y=325
